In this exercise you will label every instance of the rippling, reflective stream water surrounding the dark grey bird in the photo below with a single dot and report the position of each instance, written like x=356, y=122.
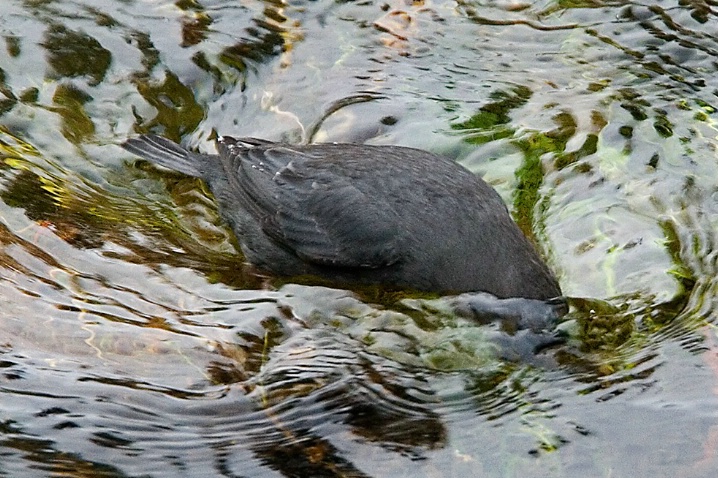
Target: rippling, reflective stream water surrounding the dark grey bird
x=134, y=342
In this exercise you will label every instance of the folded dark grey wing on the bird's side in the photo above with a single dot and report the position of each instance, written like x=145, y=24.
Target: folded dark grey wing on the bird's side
x=318, y=214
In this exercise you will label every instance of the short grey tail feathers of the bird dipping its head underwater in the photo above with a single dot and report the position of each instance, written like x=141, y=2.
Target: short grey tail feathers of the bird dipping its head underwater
x=163, y=152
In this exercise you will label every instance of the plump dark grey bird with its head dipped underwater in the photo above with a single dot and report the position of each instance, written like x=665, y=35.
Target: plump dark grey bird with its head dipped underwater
x=366, y=214
